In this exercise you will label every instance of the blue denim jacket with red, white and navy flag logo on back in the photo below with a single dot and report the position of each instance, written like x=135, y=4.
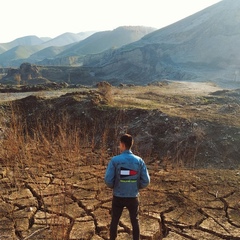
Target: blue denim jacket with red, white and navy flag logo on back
x=126, y=174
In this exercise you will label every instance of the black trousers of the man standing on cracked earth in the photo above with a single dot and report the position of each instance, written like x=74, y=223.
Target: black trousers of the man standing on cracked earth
x=132, y=204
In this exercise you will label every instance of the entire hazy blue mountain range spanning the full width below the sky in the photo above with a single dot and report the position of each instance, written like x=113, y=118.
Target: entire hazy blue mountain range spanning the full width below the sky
x=204, y=46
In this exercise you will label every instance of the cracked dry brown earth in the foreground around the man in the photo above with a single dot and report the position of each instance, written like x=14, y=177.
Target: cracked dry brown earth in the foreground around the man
x=69, y=200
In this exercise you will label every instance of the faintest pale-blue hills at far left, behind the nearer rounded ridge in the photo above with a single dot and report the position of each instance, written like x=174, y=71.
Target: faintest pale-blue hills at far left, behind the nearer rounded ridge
x=26, y=48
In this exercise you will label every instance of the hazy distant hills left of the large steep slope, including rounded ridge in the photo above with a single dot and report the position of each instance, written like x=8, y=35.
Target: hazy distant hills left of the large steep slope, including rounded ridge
x=66, y=47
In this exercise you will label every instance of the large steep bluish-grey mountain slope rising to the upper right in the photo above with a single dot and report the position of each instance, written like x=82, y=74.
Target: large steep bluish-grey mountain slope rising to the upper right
x=203, y=46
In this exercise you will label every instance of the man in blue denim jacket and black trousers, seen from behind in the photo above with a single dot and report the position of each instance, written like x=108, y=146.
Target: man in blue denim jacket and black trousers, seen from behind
x=126, y=174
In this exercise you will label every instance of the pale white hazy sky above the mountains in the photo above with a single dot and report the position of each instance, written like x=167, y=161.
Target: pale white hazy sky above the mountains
x=50, y=18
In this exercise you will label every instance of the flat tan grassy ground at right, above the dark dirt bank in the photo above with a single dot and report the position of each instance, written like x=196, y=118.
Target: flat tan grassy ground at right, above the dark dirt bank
x=187, y=100
